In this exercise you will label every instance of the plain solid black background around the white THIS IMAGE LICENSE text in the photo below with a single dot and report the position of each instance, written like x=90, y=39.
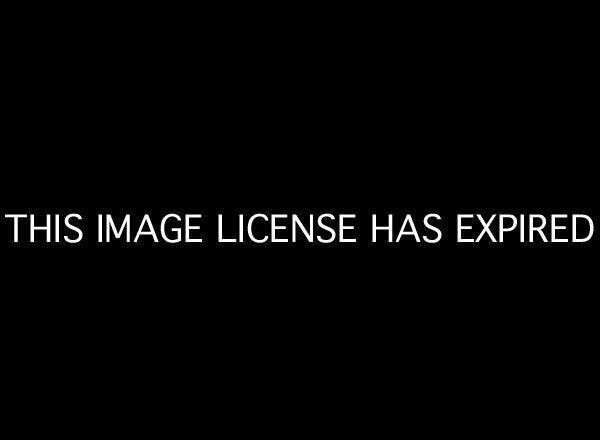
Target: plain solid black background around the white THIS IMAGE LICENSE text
x=381, y=113
